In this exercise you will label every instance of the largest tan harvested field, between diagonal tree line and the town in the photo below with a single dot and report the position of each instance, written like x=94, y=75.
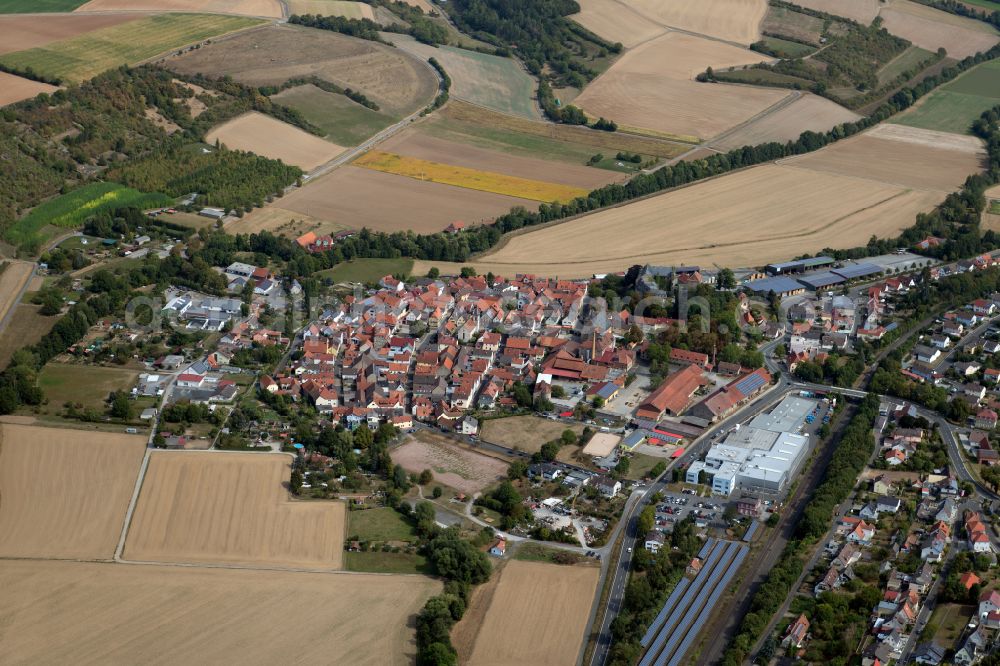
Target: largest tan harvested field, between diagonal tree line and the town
x=755, y=215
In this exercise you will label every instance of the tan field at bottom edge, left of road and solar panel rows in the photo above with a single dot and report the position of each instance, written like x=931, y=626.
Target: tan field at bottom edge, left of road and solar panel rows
x=536, y=615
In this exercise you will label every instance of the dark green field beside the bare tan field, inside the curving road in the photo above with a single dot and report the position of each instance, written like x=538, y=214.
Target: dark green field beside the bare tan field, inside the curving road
x=346, y=123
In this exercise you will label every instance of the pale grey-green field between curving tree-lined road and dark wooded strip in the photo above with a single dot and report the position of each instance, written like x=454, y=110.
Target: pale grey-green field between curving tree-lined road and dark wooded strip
x=491, y=81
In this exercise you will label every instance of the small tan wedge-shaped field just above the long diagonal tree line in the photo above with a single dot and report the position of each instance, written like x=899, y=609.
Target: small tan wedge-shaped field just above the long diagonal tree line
x=809, y=112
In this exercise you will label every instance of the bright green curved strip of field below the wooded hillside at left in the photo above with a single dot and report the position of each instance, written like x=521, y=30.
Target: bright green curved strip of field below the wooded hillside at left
x=73, y=208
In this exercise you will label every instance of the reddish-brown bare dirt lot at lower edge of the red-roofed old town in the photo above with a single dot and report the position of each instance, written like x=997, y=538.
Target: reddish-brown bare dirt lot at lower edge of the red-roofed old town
x=454, y=465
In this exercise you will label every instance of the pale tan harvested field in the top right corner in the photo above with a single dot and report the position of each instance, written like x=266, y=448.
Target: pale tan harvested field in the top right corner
x=931, y=29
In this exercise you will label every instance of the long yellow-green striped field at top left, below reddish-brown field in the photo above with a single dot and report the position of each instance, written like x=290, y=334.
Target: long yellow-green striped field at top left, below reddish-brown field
x=84, y=57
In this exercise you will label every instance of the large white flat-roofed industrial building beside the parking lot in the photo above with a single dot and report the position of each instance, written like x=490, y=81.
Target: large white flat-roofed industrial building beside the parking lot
x=764, y=456
